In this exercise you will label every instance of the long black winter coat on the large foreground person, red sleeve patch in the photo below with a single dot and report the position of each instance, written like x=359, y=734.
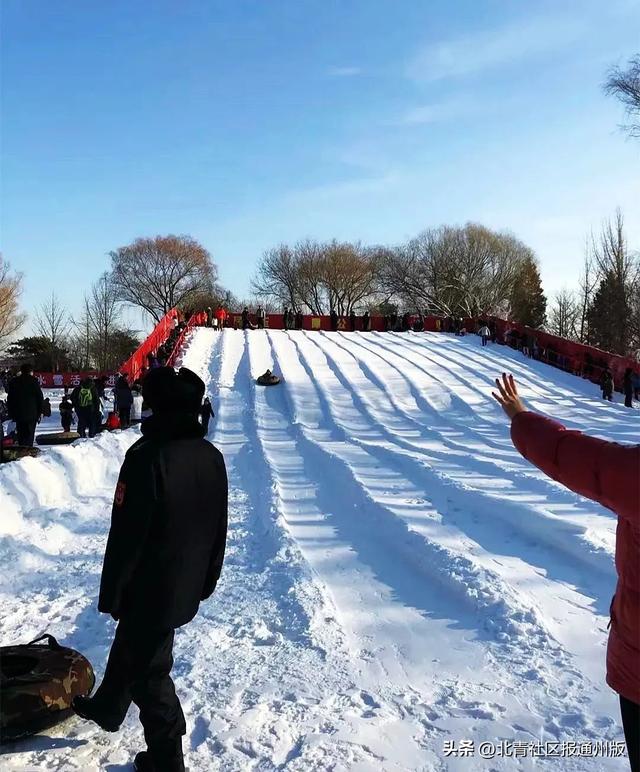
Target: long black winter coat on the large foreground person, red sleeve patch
x=168, y=525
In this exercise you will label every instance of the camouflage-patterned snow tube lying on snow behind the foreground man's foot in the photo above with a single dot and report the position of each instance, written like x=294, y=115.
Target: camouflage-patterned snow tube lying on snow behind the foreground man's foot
x=37, y=684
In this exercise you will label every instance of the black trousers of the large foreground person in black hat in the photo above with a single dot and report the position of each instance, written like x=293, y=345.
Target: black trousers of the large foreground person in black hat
x=138, y=670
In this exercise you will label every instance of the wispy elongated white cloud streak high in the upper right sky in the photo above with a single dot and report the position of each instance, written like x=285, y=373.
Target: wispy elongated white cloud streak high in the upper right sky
x=486, y=49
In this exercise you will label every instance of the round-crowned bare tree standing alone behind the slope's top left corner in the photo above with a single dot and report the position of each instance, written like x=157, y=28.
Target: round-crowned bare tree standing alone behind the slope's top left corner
x=161, y=273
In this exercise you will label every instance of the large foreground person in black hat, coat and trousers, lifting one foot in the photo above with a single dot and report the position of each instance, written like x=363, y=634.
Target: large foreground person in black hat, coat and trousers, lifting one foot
x=163, y=557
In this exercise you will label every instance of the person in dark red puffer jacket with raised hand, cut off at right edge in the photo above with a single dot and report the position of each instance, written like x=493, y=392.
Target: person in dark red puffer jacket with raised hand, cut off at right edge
x=608, y=473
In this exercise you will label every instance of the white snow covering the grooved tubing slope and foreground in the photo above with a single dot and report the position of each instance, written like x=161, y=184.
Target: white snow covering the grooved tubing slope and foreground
x=397, y=575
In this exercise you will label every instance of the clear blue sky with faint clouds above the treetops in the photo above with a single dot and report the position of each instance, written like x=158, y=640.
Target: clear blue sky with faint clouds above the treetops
x=245, y=124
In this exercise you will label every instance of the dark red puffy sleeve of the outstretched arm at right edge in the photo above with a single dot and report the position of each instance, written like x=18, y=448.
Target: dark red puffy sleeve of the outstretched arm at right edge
x=603, y=471
